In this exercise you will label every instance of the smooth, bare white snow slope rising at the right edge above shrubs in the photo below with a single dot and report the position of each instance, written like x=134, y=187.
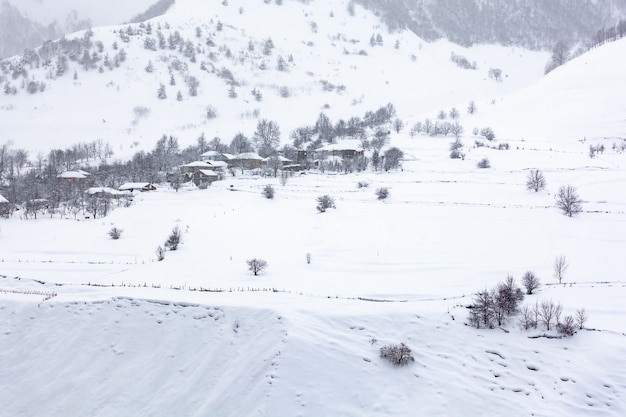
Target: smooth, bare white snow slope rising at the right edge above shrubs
x=573, y=103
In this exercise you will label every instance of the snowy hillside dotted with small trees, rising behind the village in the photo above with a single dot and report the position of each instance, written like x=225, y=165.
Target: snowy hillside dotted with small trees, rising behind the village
x=328, y=64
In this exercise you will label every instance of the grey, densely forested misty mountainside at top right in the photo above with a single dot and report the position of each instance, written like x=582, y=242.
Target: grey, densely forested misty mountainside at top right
x=533, y=24
